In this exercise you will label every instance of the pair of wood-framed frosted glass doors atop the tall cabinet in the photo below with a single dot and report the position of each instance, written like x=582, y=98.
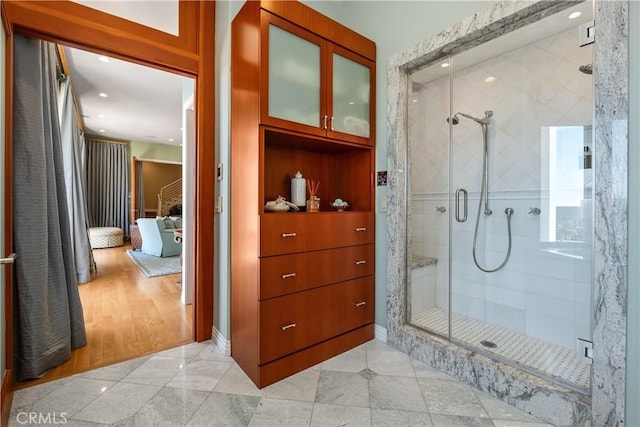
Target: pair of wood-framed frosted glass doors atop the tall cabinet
x=314, y=85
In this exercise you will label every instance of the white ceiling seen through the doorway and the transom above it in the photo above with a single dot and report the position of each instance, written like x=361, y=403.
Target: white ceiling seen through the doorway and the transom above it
x=142, y=104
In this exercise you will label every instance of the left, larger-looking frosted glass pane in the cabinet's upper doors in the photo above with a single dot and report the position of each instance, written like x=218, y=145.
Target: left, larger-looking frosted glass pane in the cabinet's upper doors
x=294, y=78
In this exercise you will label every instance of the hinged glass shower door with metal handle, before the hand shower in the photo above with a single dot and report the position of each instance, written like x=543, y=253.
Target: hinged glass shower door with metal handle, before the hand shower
x=521, y=149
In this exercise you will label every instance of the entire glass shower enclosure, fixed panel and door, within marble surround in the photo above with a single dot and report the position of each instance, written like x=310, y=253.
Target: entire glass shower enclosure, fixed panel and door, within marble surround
x=499, y=203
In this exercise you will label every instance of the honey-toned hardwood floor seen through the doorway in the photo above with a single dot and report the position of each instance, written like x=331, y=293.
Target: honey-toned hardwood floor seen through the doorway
x=126, y=315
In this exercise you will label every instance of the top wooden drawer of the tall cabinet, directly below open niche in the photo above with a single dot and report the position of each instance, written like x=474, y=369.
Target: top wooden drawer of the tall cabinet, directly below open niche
x=289, y=233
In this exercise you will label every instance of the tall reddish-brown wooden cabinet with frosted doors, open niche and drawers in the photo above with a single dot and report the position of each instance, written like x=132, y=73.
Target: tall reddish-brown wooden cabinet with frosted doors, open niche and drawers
x=302, y=284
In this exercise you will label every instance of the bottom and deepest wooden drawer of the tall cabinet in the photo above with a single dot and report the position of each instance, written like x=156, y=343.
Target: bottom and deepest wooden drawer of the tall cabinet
x=293, y=322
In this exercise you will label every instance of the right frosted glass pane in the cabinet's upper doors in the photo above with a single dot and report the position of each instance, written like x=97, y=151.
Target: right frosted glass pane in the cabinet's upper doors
x=351, y=96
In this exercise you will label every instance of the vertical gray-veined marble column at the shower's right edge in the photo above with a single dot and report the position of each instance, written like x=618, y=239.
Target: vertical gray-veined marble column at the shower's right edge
x=609, y=304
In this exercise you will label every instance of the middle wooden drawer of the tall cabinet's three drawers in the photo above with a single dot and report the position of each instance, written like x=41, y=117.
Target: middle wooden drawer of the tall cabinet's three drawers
x=286, y=274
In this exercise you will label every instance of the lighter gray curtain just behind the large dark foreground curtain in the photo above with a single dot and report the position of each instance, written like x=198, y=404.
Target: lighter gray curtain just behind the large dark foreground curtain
x=74, y=156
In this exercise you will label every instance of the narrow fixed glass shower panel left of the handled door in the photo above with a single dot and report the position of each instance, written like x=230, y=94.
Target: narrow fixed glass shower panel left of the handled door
x=428, y=198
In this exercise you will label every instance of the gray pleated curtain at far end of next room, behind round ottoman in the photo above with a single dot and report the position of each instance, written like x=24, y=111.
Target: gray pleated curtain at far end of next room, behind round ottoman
x=108, y=185
